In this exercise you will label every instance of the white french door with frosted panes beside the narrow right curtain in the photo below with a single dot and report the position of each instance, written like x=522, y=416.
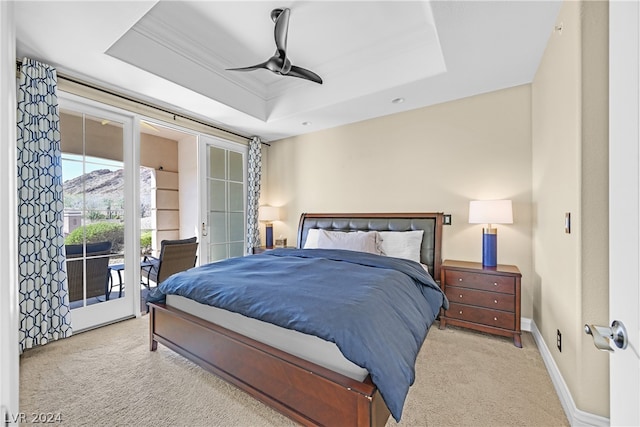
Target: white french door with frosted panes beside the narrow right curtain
x=223, y=199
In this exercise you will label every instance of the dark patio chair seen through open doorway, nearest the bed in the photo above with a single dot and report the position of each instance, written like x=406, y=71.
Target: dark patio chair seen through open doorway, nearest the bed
x=175, y=256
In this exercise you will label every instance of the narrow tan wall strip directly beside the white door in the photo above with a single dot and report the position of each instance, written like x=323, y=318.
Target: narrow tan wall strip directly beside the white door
x=595, y=206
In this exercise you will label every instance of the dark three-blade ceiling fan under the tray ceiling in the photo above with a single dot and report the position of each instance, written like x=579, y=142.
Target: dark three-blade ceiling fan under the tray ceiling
x=279, y=63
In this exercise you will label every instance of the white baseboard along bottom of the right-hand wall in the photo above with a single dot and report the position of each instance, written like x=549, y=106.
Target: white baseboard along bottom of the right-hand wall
x=575, y=416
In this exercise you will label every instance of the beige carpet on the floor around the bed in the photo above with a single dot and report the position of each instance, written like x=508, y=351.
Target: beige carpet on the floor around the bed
x=108, y=377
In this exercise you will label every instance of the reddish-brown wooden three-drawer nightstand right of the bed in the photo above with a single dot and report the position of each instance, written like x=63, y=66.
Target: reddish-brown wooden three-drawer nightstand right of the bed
x=484, y=299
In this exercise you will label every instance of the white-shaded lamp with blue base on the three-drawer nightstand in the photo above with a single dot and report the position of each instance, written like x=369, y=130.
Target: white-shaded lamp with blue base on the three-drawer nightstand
x=490, y=212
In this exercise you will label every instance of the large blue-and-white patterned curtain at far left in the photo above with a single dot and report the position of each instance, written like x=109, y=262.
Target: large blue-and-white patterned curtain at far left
x=44, y=300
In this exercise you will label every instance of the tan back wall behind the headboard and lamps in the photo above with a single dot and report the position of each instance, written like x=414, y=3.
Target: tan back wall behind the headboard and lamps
x=431, y=159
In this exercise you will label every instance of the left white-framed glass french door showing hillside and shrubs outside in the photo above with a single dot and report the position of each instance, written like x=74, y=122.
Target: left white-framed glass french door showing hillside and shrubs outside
x=101, y=227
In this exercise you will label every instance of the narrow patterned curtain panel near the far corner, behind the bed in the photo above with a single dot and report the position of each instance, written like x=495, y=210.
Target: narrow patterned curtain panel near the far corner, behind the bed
x=253, y=193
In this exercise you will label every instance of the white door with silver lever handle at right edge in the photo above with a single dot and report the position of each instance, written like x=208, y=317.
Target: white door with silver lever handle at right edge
x=624, y=207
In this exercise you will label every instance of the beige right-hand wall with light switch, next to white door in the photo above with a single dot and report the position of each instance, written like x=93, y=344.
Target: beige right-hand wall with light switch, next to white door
x=570, y=174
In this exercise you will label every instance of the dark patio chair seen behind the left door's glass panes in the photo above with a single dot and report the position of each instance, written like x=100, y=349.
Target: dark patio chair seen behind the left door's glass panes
x=97, y=271
